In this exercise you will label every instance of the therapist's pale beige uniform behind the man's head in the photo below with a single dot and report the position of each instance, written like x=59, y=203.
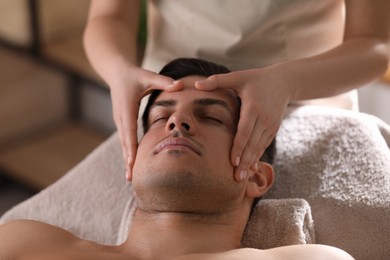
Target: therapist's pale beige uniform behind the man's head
x=243, y=34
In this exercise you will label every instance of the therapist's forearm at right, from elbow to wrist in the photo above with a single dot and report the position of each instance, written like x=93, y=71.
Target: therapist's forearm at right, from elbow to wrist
x=352, y=64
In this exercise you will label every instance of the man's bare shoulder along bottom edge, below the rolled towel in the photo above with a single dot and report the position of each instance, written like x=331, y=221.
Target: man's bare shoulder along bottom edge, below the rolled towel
x=297, y=252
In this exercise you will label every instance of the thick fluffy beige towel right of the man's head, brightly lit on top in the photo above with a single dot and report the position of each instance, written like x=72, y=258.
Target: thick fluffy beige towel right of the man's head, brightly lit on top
x=339, y=161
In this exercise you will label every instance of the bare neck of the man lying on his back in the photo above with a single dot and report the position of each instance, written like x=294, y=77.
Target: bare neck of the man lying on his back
x=164, y=235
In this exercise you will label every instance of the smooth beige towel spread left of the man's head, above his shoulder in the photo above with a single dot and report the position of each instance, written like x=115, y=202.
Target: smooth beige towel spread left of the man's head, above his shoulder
x=88, y=201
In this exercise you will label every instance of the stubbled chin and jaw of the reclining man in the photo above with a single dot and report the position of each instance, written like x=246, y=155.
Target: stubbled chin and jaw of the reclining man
x=178, y=189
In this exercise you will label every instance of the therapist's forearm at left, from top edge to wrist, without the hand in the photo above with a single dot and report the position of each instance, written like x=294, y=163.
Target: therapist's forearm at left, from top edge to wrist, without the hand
x=110, y=37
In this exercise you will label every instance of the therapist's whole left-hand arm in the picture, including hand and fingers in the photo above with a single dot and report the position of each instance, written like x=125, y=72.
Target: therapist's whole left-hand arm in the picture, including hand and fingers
x=110, y=41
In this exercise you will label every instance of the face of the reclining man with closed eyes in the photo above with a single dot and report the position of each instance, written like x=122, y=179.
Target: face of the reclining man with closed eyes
x=183, y=160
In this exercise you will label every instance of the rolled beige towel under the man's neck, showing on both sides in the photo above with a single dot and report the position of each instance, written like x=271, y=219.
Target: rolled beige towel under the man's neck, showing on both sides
x=273, y=223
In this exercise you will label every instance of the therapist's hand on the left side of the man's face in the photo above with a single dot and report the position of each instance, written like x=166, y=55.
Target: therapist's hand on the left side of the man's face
x=127, y=90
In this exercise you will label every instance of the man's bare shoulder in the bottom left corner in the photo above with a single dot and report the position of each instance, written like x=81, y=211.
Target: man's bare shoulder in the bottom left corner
x=31, y=236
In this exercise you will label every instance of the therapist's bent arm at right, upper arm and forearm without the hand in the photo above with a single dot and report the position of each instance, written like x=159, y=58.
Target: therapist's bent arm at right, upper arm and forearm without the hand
x=361, y=58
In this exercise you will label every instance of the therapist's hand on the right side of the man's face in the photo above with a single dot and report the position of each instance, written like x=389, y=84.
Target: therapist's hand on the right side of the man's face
x=264, y=99
